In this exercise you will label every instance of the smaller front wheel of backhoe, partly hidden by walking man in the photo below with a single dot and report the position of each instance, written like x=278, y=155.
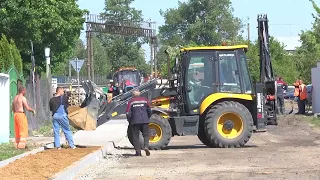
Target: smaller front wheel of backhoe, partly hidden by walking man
x=160, y=133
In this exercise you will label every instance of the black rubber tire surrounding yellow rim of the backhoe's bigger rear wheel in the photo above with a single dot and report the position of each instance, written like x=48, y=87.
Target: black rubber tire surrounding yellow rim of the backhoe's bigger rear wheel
x=210, y=125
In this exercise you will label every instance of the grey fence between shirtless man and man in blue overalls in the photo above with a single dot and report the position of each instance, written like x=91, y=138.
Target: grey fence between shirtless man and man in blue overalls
x=38, y=98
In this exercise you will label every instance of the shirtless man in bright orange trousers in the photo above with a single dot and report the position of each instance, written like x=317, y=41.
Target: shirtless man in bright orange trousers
x=20, y=119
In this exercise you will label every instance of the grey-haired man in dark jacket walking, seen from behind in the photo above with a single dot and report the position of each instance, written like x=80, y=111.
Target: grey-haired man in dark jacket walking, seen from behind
x=138, y=114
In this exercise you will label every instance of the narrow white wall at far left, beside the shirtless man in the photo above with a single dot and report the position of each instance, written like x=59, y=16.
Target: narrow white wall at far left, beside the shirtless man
x=4, y=108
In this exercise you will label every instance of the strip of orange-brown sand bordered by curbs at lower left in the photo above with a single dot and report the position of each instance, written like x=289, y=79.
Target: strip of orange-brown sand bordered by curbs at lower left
x=43, y=165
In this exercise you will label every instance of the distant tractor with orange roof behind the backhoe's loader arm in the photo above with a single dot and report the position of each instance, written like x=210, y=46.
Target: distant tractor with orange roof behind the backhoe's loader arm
x=127, y=78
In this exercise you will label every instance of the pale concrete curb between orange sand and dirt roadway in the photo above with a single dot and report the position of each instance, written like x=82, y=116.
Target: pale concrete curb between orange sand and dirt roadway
x=73, y=170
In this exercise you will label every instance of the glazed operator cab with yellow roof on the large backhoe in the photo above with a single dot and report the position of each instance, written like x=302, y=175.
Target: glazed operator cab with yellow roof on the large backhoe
x=210, y=70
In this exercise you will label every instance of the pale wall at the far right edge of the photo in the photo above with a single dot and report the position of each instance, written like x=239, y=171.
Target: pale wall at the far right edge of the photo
x=315, y=77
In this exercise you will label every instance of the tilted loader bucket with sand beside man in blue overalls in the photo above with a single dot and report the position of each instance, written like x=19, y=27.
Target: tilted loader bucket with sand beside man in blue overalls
x=85, y=118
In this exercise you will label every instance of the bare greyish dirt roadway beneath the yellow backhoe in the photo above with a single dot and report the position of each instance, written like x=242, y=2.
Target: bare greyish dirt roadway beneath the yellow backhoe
x=290, y=150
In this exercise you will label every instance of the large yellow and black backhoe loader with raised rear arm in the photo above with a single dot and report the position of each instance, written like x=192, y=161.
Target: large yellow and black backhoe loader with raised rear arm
x=209, y=94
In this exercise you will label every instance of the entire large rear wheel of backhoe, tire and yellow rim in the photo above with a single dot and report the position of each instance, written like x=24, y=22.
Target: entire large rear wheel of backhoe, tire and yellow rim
x=228, y=124
